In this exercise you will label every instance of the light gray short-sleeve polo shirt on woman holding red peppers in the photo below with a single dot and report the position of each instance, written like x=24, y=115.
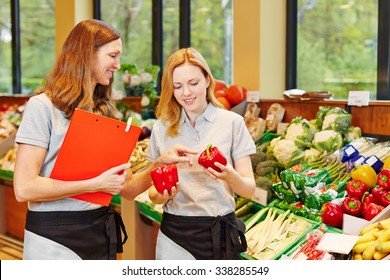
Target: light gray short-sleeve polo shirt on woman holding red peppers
x=201, y=195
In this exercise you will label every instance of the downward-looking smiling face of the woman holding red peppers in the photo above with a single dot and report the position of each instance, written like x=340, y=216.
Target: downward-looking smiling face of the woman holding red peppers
x=190, y=88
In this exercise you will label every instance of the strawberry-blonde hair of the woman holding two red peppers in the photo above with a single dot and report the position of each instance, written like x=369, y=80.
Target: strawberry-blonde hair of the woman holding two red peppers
x=168, y=109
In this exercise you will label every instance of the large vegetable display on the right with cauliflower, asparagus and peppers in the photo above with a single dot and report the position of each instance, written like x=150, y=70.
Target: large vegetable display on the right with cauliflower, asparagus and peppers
x=308, y=179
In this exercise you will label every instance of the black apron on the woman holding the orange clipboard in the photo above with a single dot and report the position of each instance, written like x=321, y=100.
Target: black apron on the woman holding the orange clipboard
x=92, y=234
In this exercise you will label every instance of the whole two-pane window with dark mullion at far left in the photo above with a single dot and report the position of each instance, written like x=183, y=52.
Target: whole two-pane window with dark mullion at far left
x=26, y=44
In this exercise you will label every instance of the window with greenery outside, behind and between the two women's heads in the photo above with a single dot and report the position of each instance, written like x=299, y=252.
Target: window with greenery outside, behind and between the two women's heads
x=210, y=31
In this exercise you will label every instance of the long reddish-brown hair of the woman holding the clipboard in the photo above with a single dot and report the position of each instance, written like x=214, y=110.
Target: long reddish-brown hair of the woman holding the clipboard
x=68, y=84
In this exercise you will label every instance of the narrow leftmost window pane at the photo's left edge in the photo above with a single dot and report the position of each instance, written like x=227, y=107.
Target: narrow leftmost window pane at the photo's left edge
x=5, y=48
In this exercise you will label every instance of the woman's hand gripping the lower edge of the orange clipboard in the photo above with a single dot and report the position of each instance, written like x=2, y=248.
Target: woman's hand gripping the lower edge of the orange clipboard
x=112, y=180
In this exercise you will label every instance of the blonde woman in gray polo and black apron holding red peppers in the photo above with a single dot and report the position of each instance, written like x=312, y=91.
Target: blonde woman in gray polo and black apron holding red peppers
x=198, y=221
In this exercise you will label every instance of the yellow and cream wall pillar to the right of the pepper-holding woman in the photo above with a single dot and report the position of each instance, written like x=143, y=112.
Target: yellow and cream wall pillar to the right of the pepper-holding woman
x=259, y=46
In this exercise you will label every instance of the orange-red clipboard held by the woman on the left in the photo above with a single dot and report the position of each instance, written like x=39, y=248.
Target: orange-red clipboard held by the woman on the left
x=92, y=145
